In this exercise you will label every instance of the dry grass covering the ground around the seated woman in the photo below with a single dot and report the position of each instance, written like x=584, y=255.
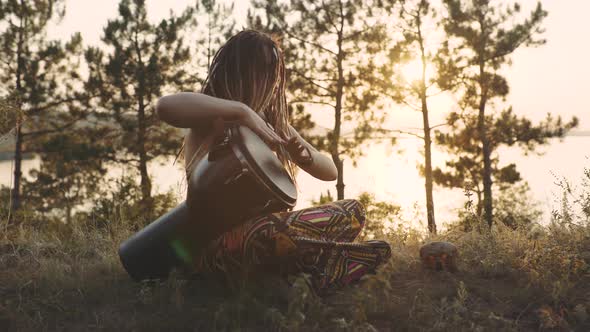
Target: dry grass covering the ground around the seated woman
x=508, y=280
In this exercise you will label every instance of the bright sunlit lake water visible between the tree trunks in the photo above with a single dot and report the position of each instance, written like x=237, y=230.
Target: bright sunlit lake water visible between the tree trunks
x=390, y=172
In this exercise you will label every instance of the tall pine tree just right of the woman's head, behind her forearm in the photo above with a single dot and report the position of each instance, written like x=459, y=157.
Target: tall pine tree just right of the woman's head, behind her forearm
x=328, y=53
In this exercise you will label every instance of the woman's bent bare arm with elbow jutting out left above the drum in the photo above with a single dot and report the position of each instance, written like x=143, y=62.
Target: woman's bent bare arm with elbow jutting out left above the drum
x=190, y=110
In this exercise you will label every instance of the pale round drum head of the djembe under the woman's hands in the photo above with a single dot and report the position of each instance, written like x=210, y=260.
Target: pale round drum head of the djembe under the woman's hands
x=265, y=163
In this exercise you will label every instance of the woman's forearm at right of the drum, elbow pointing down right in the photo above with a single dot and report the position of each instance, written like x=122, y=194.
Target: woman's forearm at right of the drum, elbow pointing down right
x=321, y=166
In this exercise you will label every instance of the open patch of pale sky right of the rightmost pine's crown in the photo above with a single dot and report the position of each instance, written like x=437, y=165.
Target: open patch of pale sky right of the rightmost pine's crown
x=556, y=77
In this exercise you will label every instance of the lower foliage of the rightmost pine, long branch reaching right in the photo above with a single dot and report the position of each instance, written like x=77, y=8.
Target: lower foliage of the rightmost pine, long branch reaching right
x=465, y=169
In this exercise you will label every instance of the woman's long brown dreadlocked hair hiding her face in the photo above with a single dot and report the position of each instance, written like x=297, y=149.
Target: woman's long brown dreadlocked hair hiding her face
x=250, y=68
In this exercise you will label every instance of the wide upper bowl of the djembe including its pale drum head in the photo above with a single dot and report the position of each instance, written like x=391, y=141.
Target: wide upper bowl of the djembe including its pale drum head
x=238, y=179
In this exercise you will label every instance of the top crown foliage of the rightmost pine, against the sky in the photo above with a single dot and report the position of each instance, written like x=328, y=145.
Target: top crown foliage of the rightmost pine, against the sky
x=487, y=34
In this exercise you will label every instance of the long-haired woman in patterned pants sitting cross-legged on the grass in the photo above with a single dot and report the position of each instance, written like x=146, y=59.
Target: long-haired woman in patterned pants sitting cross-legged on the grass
x=246, y=84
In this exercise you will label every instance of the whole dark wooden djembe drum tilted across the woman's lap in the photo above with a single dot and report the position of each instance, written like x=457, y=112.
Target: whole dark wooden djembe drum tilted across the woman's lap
x=239, y=178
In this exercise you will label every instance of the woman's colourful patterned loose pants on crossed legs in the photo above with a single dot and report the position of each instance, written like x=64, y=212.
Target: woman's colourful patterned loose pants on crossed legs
x=316, y=240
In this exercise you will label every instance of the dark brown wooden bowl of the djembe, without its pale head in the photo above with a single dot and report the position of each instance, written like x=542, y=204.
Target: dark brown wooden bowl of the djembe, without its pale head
x=226, y=188
